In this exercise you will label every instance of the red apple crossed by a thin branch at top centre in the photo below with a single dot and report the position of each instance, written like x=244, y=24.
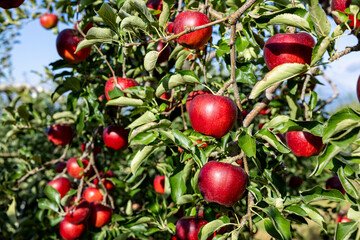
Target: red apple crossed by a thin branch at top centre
x=195, y=39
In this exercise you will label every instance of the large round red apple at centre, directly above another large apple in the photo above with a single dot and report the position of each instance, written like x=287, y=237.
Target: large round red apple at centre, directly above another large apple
x=212, y=115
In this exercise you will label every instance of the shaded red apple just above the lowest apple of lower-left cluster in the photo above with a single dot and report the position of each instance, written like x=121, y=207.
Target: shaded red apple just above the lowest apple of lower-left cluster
x=77, y=214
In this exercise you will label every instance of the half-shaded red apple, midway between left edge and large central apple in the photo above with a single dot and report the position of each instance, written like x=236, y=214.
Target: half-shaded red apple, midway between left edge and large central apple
x=116, y=137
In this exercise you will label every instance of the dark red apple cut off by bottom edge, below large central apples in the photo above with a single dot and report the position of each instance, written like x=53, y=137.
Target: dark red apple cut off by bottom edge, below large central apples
x=187, y=228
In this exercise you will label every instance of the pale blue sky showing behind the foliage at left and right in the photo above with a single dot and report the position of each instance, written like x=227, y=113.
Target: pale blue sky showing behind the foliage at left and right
x=36, y=49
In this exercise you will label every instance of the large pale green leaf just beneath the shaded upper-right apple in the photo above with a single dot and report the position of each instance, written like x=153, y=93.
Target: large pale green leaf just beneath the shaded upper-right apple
x=276, y=75
